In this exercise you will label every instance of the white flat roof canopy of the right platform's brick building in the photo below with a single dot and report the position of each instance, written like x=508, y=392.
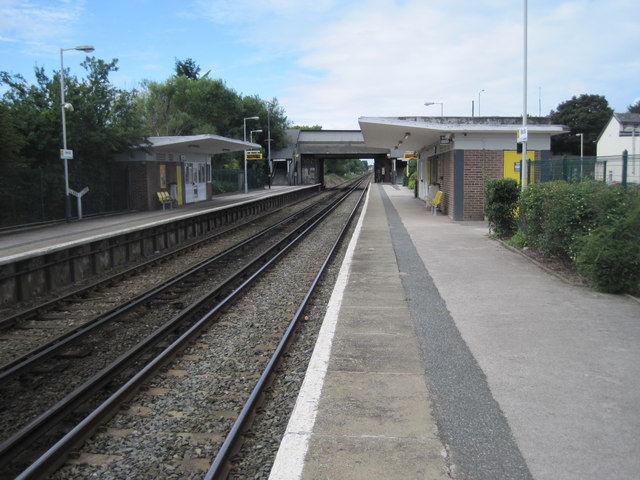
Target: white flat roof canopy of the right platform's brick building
x=414, y=133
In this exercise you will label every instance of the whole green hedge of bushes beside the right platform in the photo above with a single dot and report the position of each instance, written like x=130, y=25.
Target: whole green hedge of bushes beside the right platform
x=591, y=225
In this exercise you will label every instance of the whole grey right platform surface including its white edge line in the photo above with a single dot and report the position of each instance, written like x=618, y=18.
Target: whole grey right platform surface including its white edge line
x=446, y=355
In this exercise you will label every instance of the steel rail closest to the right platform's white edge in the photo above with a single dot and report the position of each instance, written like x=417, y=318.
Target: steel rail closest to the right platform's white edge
x=219, y=467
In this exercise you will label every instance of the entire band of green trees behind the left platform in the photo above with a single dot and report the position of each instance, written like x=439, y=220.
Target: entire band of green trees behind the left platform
x=106, y=120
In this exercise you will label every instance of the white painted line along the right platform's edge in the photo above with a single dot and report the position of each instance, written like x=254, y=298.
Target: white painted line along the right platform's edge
x=289, y=462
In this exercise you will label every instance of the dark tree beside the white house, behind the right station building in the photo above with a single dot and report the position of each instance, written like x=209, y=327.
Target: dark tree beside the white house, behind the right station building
x=586, y=114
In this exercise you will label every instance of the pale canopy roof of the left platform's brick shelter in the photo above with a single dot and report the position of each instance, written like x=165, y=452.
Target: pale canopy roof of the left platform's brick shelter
x=206, y=143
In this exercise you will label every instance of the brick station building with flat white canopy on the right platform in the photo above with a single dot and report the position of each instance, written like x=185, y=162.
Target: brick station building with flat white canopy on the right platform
x=457, y=155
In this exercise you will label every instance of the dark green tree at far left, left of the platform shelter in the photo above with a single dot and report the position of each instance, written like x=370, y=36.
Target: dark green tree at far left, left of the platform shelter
x=103, y=121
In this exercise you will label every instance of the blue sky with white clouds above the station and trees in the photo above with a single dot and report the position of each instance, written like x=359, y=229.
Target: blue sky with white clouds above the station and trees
x=329, y=62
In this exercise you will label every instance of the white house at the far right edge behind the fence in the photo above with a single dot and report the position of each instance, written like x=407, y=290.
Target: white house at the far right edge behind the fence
x=620, y=134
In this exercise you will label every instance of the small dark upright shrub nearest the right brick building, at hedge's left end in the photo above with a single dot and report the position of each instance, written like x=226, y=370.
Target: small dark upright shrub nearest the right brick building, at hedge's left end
x=501, y=202
